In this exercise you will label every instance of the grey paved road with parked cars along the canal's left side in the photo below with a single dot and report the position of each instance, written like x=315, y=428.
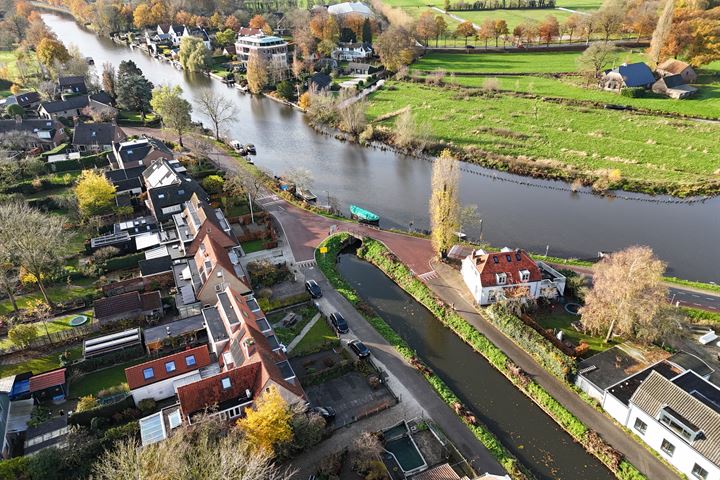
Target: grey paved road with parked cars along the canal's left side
x=412, y=381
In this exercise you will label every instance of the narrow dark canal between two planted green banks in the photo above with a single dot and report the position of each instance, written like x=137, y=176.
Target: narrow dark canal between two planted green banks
x=533, y=437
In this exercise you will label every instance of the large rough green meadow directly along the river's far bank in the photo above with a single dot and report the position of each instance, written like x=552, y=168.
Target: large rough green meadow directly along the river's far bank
x=651, y=153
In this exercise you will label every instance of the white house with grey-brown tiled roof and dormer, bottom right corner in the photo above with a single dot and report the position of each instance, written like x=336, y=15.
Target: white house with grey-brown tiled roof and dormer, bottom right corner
x=680, y=419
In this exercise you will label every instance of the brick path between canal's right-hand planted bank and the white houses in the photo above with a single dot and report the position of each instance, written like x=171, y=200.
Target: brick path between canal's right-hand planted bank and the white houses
x=450, y=287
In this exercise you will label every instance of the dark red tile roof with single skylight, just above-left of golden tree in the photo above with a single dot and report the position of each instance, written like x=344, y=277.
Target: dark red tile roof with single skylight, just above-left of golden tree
x=209, y=391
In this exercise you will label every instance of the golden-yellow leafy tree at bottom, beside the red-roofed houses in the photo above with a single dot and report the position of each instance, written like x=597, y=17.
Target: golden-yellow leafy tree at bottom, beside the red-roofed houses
x=268, y=424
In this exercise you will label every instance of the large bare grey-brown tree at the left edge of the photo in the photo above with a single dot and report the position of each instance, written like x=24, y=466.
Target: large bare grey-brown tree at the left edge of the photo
x=35, y=239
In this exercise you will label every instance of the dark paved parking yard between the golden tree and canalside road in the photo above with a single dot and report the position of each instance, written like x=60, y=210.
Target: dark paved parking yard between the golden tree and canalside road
x=352, y=397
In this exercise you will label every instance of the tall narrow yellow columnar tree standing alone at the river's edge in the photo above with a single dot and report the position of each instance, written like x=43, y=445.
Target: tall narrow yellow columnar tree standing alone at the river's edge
x=444, y=203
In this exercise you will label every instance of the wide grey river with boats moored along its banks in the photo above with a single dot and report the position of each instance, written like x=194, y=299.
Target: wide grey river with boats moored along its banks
x=396, y=187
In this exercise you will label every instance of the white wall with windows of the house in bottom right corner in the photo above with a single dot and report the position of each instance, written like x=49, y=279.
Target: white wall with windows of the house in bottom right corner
x=684, y=457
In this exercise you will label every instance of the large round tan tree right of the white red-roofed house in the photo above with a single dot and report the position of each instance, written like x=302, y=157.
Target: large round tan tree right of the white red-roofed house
x=628, y=296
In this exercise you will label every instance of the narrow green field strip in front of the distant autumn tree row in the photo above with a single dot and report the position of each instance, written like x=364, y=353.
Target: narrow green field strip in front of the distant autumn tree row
x=555, y=62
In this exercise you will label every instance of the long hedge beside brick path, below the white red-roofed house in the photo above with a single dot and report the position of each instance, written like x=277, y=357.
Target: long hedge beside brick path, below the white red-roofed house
x=539, y=347
